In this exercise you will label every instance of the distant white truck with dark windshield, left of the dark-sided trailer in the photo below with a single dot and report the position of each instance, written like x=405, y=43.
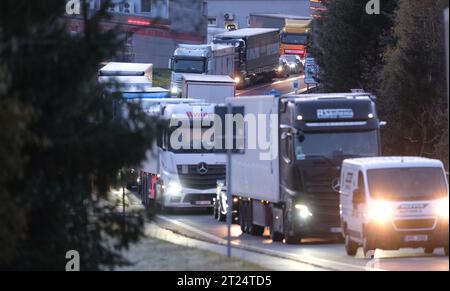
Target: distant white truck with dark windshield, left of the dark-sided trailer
x=209, y=59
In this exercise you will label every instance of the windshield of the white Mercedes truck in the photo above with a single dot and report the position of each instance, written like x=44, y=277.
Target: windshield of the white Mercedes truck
x=190, y=140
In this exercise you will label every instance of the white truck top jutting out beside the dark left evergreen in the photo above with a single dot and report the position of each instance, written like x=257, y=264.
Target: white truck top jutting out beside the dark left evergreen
x=115, y=69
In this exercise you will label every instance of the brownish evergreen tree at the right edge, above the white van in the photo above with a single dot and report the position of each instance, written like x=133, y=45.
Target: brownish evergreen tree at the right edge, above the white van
x=413, y=83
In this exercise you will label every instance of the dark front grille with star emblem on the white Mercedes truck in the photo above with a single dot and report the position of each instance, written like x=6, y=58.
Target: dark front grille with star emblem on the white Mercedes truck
x=191, y=177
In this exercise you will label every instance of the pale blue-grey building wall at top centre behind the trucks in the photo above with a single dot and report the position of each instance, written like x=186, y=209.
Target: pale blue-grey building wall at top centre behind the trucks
x=232, y=14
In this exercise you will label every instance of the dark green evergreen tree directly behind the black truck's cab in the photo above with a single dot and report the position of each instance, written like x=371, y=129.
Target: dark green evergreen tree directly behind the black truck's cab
x=348, y=43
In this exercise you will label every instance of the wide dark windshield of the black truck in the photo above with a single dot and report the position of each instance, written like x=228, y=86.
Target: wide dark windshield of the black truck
x=337, y=145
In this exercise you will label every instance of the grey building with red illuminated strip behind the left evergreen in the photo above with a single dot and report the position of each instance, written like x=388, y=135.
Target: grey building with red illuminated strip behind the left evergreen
x=152, y=28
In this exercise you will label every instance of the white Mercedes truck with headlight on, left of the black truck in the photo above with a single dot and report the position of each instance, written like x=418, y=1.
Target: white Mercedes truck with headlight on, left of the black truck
x=183, y=177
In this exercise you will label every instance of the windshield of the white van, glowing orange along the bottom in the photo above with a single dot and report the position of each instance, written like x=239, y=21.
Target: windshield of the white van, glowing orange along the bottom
x=407, y=184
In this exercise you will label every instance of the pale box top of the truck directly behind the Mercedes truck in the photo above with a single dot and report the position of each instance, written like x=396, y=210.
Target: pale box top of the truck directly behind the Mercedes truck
x=211, y=88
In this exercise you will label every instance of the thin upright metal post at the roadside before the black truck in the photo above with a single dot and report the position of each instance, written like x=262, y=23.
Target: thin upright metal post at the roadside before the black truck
x=229, y=137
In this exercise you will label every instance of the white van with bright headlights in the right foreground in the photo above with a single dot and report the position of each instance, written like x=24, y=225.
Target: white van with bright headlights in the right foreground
x=394, y=202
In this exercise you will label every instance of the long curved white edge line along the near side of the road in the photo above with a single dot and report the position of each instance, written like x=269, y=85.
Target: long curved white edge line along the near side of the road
x=318, y=262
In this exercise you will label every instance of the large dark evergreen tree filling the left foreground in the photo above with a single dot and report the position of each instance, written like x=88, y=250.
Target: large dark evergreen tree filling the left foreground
x=61, y=148
